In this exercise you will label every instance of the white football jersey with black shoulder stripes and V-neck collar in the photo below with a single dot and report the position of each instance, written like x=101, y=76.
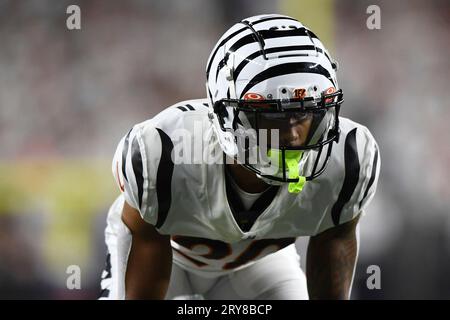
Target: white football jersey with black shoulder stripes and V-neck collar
x=195, y=205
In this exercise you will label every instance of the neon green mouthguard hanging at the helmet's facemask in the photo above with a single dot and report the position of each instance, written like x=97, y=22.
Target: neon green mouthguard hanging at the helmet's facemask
x=291, y=160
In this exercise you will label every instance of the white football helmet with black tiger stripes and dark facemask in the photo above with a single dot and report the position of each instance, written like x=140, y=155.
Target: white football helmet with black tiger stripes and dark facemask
x=265, y=73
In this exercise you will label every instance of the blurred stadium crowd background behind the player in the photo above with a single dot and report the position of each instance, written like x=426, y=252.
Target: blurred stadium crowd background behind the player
x=67, y=97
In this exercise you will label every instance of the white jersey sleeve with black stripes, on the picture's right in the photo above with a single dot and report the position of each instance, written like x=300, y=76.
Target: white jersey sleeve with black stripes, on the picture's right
x=361, y=169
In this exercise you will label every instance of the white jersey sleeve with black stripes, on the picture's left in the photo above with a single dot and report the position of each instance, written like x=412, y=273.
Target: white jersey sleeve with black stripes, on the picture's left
x=135, y=166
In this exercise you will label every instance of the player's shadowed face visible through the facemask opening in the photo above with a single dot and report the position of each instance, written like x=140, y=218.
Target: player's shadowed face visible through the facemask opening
x=293, y=127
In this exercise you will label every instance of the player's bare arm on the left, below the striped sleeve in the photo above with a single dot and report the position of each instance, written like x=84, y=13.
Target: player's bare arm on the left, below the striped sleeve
x=150, y=259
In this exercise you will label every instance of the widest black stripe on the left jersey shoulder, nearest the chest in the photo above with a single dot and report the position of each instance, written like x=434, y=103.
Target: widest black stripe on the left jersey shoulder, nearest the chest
x=164, y=178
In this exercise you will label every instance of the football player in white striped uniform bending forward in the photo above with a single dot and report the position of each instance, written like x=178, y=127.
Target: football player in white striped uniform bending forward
x=285, y=165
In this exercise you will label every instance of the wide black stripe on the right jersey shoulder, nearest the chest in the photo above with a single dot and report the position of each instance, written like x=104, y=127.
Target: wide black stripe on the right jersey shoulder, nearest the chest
x=351, y=176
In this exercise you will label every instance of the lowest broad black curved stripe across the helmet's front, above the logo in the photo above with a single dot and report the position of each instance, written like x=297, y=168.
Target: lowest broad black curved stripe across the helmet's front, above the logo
x=287, y=68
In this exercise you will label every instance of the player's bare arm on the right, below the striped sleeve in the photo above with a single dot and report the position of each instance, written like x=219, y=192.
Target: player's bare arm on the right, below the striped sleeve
x=331, y=262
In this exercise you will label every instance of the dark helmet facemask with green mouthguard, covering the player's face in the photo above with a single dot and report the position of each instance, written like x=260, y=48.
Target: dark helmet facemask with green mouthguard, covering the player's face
x=282, y=140
